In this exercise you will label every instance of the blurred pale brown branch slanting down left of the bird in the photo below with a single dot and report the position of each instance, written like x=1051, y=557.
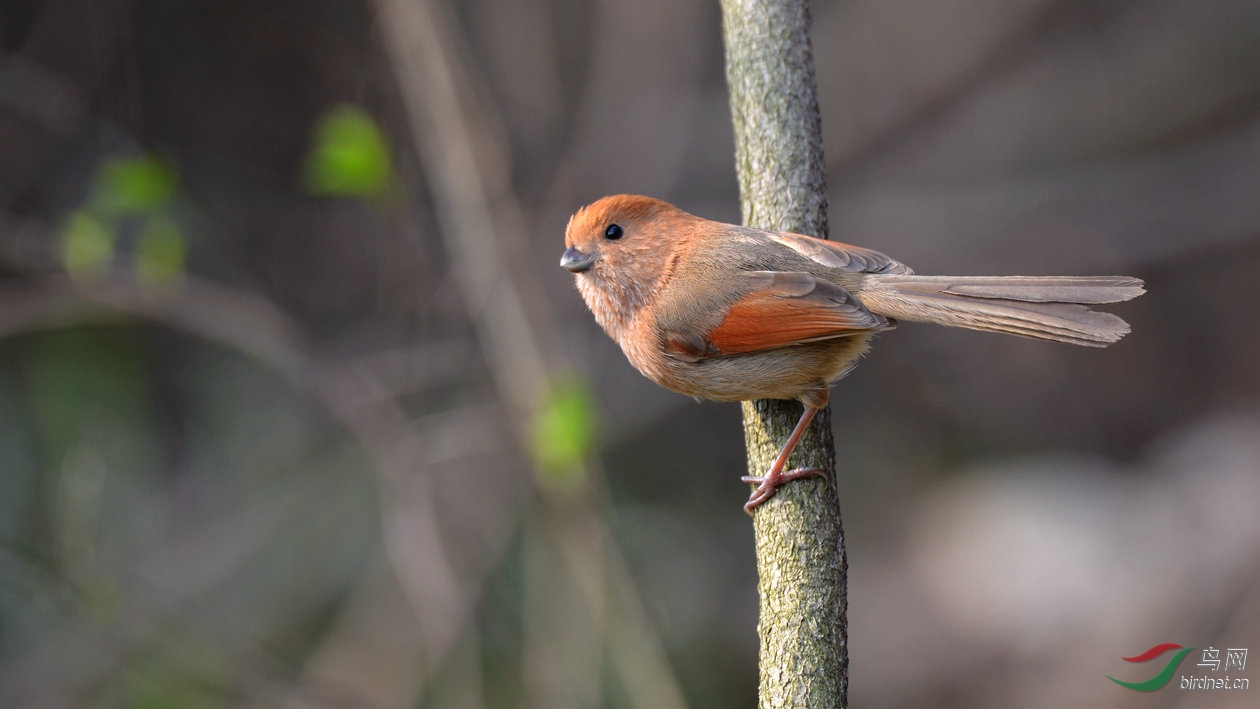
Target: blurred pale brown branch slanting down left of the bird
x=466, y=166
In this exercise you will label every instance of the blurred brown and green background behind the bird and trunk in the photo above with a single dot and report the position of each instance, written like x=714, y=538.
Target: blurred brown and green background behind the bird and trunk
x=297, y=409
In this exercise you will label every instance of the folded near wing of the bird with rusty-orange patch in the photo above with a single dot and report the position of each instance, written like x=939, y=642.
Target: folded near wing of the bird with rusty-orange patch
x=777, y=309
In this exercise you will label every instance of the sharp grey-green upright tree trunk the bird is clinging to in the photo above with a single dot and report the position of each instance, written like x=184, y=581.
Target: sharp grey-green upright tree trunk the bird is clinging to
x=801, y=543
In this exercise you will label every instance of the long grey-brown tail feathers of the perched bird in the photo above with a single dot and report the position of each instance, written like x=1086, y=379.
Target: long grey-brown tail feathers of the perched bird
x=1049, y=308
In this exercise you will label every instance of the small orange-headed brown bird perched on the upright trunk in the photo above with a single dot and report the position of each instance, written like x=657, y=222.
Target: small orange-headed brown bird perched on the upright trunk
x=730, y=314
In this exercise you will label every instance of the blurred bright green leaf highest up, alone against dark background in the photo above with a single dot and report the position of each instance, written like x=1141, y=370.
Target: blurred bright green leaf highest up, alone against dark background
x=350, y=157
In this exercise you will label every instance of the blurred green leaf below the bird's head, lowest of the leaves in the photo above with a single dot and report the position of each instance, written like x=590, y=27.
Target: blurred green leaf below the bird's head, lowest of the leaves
x=564, y=435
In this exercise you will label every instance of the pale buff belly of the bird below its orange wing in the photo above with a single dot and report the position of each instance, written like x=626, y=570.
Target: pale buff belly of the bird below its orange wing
x=783, y=373
